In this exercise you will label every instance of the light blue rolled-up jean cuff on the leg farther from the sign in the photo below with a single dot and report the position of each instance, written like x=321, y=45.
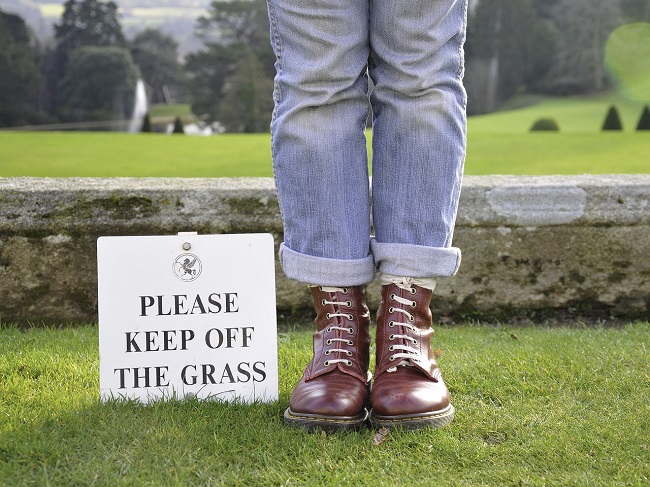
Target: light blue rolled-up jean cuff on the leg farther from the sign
x=415, y=260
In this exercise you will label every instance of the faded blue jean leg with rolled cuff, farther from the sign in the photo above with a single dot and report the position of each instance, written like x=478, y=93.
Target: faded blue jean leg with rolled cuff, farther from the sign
x=419, y=133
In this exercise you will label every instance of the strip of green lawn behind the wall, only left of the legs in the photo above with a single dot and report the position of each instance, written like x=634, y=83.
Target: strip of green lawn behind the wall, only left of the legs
x=104, y=154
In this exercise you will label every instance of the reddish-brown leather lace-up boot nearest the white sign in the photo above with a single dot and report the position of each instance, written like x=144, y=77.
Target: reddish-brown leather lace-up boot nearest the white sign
x=333, y=391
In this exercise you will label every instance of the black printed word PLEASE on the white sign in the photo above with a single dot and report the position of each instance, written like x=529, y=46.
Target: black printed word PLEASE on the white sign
x=181, y=304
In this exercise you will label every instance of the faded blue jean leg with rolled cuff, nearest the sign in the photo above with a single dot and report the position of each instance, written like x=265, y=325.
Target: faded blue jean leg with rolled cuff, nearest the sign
x=318, y=139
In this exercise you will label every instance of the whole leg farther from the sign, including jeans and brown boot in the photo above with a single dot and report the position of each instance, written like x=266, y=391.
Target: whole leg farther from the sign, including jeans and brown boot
x=418, y=155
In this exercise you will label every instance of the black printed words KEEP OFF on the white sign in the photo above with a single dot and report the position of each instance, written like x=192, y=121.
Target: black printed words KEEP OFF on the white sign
x=167, y=340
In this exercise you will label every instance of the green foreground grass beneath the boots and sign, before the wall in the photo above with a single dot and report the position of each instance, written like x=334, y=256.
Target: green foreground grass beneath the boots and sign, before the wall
x=535, y=406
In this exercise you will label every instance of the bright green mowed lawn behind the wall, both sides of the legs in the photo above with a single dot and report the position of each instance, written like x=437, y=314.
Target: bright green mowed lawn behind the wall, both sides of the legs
x=498, y=143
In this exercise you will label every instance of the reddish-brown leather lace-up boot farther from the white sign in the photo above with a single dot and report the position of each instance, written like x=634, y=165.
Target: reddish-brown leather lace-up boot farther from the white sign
x=408, y=390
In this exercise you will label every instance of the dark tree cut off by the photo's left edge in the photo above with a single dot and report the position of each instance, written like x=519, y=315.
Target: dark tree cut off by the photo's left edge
x=20, y=75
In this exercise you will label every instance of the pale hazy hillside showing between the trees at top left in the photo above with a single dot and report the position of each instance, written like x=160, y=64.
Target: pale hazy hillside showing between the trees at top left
x=174, y=17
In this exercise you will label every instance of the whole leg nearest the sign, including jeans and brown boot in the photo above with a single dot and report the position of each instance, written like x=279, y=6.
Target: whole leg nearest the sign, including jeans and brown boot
x=321, y=174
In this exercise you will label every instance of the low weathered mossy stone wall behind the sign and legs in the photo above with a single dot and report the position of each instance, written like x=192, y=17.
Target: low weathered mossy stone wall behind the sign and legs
x=532, y=246
